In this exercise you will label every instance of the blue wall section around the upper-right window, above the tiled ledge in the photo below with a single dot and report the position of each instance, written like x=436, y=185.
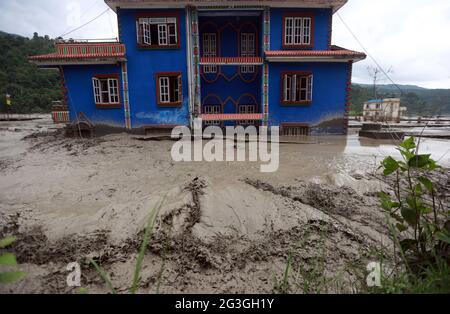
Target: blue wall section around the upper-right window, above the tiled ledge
x=322, y=19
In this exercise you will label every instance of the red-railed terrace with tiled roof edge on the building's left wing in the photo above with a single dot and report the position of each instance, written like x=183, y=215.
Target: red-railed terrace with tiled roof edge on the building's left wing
x=83, y=51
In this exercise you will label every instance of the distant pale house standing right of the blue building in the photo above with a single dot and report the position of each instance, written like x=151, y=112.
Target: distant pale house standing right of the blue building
x=383, y=110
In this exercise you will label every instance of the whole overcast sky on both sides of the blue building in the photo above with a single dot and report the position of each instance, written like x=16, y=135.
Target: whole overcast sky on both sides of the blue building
x=410, y=36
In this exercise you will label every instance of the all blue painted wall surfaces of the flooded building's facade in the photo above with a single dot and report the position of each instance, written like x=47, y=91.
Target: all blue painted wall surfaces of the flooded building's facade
x=326, y=113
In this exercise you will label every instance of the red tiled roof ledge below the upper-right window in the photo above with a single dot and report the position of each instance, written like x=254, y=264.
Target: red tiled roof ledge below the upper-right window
x=335, y=52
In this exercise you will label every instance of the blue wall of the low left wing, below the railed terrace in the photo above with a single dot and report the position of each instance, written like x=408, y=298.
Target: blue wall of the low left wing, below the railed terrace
x=81, y=95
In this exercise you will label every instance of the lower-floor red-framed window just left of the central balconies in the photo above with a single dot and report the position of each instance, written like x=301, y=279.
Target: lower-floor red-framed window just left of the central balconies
x=169, y=89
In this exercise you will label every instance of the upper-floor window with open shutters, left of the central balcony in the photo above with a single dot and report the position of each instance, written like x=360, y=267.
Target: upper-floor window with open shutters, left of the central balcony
x=157, y=31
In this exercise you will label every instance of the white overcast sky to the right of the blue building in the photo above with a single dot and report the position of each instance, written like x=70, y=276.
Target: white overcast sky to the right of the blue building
x=409, y=36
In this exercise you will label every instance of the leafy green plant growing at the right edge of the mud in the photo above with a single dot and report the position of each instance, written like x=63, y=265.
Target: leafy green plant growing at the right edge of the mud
x=421, y=227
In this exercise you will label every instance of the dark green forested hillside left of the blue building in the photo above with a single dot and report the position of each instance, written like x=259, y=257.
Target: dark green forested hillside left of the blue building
x=31, y=89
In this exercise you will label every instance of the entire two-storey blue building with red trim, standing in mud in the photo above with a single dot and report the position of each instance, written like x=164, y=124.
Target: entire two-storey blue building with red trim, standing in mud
x=229, y=62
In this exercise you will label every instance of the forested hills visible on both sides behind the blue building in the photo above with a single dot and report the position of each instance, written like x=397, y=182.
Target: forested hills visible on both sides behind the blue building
x=33, y=89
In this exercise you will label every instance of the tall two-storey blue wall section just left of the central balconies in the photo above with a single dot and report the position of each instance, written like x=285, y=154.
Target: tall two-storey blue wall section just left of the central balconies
x=143, y=64
